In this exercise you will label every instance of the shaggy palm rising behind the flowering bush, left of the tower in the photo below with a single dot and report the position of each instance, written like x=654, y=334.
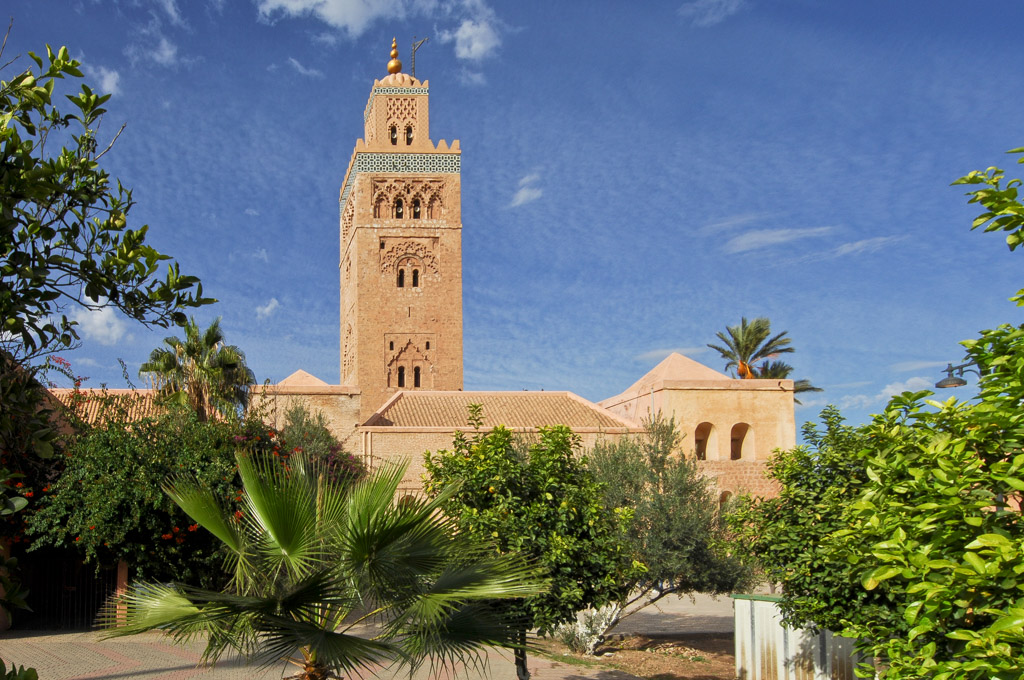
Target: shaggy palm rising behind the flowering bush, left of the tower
x=201, y=371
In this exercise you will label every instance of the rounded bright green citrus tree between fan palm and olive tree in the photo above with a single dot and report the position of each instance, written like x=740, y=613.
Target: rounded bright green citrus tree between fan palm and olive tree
x=544, y=503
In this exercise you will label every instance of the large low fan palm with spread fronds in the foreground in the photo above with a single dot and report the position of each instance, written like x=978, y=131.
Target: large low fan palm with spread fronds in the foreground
x=313, y=562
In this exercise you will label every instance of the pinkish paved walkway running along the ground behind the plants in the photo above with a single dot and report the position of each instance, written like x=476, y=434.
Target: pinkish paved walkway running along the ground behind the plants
x=83, y=656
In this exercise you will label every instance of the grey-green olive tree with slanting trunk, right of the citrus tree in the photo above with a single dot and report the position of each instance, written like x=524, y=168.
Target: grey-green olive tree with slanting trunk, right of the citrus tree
x=675, y=529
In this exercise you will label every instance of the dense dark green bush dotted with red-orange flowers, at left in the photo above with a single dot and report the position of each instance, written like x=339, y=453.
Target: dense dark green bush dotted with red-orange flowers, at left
x=109, y=503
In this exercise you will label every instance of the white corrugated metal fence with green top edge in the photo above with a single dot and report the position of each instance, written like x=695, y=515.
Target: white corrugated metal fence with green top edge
x=769, y=651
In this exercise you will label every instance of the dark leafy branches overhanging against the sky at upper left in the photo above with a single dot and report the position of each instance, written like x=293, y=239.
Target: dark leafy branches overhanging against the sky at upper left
x=64, y=229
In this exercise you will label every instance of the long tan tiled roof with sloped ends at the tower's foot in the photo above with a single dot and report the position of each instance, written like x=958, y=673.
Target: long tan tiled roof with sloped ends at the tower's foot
x=517, y=410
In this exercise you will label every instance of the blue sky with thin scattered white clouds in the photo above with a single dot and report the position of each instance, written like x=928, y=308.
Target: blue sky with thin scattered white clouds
x=636, y=177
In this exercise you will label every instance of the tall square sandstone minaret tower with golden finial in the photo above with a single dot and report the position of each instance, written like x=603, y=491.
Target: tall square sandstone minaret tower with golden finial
x=401, y=264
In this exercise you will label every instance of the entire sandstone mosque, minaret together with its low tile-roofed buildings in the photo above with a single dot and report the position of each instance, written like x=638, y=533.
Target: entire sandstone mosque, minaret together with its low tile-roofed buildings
x=401, y=391
